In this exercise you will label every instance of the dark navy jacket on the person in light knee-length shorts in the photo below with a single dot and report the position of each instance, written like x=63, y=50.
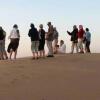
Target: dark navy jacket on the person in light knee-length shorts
x=33, y=33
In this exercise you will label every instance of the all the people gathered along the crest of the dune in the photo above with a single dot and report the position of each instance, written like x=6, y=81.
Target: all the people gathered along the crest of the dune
x=40, y=37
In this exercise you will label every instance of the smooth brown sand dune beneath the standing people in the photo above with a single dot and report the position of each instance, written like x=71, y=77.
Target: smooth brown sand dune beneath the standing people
x=65, y=77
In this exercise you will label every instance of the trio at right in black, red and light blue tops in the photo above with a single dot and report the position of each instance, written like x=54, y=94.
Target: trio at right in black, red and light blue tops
x=80, y=39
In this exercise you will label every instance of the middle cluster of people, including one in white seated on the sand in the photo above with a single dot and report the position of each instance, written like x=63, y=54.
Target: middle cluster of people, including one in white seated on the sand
x=39, y=38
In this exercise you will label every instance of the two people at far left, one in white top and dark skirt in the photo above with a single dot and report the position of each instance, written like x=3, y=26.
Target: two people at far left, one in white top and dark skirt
x=14, y=43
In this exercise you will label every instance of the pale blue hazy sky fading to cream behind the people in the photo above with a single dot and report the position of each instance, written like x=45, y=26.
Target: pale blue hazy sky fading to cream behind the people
x=62, y=13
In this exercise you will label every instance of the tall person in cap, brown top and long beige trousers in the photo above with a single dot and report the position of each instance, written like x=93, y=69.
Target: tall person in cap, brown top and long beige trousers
x=49, y=38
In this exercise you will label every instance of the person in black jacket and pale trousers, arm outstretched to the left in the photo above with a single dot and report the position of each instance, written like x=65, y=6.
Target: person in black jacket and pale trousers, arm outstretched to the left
x=74, y=38
